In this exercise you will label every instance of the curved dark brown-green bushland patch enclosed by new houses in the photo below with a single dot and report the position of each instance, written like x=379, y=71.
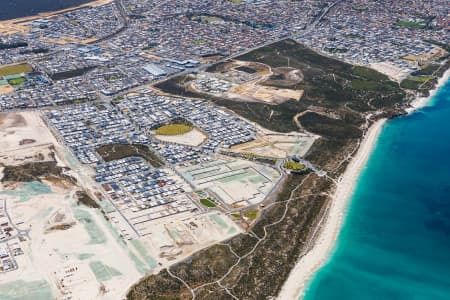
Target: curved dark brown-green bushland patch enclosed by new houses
x=118, y=151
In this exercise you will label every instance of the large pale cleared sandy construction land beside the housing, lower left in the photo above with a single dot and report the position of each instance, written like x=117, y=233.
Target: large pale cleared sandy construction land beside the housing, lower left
x=71, y=251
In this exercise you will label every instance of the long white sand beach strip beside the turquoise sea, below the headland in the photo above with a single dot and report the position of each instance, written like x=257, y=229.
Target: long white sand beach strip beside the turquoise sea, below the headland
x=317, y=256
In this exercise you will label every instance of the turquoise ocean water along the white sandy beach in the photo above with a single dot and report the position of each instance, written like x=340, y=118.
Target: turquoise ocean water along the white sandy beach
x=395, y=243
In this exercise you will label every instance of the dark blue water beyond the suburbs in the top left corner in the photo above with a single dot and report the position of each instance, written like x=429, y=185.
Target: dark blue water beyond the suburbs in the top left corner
x=11, y=9
